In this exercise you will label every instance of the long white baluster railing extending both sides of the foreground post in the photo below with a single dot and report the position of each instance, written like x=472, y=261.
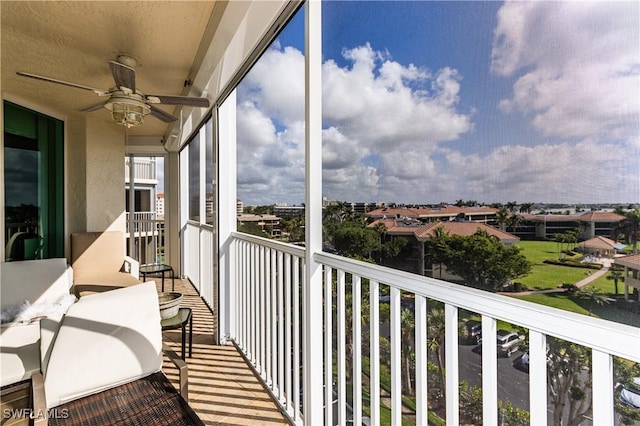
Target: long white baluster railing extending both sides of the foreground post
x=268, y=311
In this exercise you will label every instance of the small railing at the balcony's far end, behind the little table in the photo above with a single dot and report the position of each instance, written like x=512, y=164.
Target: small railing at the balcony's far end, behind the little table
x=147, y=232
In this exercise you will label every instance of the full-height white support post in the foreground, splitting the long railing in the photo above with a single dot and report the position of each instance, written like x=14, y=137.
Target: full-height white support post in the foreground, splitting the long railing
x=312, y=292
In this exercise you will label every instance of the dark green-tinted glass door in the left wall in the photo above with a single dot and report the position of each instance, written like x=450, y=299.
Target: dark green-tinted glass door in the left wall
x=33, y=185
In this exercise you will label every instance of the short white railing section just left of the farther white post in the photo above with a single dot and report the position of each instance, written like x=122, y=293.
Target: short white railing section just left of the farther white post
x=198, y=259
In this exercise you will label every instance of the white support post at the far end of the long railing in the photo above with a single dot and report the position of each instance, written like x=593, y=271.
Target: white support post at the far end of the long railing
x=227, y=198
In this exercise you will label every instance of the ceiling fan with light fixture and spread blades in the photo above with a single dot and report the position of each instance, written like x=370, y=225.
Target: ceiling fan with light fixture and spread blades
x=128, y=106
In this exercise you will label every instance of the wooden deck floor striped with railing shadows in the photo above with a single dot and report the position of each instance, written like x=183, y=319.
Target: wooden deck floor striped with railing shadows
x=222, y=388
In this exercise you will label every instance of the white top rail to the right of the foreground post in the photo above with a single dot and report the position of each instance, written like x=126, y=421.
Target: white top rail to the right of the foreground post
x=606, y=336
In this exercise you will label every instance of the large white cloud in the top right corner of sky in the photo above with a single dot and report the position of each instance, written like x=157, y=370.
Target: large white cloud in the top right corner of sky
x=576, y=65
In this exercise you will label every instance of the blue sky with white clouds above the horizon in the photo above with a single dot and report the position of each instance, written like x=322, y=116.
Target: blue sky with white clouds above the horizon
x=430, y=101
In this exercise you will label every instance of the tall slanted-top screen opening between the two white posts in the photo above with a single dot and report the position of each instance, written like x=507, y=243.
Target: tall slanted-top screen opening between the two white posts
x=270, y=135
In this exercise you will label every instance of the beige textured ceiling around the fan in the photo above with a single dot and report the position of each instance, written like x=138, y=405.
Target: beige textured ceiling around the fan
x=73, y=41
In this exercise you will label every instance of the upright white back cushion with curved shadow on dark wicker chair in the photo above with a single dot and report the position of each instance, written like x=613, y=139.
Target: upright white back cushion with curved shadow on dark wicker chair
x=105, y=340
